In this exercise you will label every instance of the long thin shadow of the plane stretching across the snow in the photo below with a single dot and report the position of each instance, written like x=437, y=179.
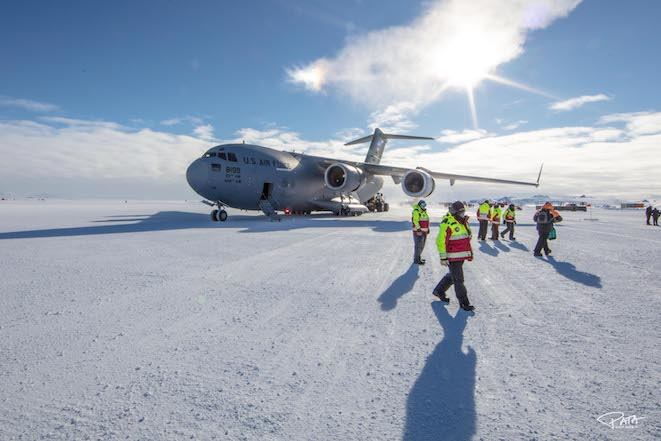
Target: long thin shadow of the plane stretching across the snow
x=178, y=220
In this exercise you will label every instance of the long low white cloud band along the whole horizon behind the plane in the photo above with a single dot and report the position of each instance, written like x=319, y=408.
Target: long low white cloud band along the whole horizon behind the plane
x=92, y=155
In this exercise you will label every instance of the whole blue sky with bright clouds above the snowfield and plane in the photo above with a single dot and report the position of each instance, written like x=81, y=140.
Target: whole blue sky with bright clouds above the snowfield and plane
x=194, y=73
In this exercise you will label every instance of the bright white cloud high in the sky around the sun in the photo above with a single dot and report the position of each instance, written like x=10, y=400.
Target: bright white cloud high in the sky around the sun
x=452, y=43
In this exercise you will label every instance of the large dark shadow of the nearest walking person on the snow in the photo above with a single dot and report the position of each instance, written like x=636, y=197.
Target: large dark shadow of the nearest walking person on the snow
x=441, y=404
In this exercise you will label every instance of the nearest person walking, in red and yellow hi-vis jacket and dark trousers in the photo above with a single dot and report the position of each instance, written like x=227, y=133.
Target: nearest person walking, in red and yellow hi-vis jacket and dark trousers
x=454, y=247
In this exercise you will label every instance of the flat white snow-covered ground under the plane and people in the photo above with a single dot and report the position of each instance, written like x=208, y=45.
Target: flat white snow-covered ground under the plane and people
x=145, y=320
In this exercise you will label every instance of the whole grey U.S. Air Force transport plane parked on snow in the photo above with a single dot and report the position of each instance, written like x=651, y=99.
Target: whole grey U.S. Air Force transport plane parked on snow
x=252, y=177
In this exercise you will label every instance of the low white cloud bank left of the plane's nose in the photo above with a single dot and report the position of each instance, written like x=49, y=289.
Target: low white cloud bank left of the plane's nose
x=92, y=150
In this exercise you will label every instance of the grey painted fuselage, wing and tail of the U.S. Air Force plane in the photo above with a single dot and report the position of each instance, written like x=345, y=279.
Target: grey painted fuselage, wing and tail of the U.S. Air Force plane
x=296, y=181
